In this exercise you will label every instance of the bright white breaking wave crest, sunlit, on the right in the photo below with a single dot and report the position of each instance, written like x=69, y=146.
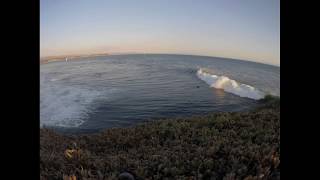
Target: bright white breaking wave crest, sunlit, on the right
x=229, y=85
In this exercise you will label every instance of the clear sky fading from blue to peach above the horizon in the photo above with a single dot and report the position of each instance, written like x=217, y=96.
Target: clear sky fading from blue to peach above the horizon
x=240, y=29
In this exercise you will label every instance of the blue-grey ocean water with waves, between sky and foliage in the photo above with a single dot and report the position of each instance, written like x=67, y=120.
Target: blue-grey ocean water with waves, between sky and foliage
x=90, y=94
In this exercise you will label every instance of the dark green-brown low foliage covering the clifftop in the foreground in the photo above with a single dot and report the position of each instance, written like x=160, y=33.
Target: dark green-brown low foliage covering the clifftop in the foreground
x=242, y=145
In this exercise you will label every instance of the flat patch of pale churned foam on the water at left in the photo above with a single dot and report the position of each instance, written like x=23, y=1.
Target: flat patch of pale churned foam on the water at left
x=67, y=105
